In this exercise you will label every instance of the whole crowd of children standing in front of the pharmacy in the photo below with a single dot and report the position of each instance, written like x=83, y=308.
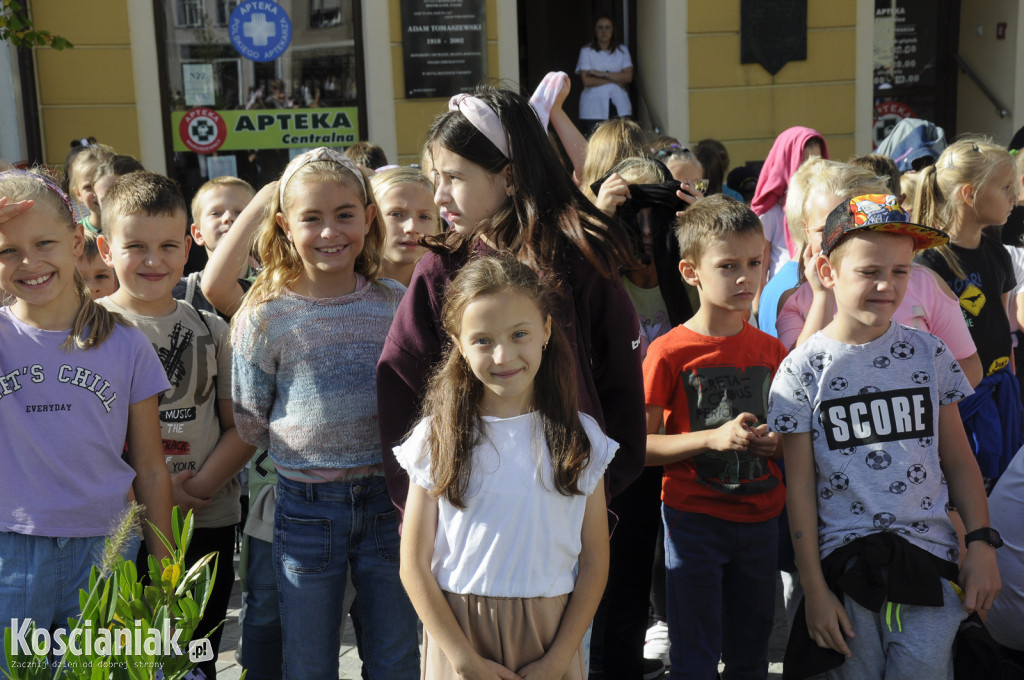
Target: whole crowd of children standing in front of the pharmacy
x=500, y=385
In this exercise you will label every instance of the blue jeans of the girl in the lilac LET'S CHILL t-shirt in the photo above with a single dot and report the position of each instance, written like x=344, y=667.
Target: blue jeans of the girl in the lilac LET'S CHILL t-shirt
x=40, y=578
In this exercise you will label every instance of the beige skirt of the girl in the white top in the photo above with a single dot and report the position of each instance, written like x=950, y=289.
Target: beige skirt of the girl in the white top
x=513, y=631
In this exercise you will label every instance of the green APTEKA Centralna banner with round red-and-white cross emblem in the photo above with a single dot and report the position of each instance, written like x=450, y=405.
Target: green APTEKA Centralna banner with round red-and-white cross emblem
x=206, y=131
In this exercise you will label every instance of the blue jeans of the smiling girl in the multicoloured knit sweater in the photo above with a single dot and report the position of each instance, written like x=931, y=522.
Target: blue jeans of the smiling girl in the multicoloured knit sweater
x=322, y=531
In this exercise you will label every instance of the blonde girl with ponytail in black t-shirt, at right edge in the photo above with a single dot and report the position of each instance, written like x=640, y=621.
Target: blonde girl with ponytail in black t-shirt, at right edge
x=971, y=187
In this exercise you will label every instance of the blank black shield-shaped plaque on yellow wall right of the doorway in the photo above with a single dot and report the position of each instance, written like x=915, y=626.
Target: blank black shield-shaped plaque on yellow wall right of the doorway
x=773, y=33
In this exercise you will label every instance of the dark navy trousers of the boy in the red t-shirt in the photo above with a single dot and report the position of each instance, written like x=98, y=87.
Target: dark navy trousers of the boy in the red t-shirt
x=721, y=594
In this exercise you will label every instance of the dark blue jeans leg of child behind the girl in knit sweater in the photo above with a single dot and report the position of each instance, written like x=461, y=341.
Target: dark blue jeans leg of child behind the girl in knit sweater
x=262, y=626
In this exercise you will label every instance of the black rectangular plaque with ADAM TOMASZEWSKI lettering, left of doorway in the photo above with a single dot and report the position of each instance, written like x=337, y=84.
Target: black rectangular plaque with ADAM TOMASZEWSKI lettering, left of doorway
x=445, y=47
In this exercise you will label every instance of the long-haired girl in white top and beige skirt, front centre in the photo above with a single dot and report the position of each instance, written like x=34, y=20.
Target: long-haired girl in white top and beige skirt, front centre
x=507, y=496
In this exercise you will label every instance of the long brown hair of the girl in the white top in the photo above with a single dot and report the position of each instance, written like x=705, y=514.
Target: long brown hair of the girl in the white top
x=454, y=393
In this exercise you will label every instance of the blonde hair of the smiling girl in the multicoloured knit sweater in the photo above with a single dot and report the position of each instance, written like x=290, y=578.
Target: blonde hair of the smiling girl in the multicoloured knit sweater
x=282, y=265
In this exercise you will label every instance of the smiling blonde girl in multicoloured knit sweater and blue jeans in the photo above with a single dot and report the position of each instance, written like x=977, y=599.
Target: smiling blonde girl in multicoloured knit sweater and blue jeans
x=307, y=342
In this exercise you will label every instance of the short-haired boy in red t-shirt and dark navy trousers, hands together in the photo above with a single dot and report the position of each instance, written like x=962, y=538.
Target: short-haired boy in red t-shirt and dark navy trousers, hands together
x=707, y=384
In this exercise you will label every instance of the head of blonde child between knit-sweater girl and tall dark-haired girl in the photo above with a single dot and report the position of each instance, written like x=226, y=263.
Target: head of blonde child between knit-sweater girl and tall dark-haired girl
x=406, y=199
